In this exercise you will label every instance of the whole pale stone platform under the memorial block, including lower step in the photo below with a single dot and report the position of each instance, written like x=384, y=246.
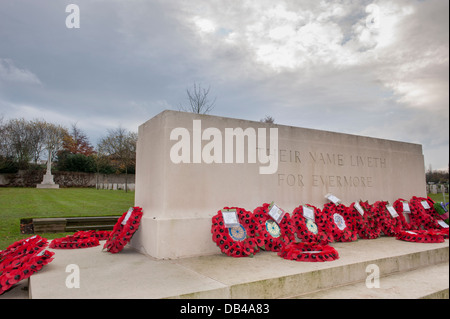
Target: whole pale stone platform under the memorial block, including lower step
x=407, y=270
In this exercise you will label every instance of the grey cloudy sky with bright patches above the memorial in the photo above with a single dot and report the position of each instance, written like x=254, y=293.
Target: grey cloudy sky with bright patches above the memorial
x=375, y=68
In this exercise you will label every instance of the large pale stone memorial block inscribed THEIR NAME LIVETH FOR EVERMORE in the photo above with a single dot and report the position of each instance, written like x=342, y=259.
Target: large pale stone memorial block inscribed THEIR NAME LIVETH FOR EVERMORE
x=189, y=166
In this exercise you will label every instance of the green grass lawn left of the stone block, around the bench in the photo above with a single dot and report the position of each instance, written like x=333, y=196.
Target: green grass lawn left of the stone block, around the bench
x=18, y=203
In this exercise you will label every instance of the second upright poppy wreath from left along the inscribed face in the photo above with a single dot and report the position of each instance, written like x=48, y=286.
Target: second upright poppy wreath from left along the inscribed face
x=271, y=236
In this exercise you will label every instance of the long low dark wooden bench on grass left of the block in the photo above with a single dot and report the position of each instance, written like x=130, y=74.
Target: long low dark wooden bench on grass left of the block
x=70, y=224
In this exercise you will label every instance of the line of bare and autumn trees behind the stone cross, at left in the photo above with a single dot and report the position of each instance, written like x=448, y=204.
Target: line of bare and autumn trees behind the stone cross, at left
x=25, y=144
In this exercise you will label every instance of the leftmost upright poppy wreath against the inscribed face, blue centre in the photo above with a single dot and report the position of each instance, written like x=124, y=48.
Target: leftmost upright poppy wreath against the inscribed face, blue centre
x=236, y=241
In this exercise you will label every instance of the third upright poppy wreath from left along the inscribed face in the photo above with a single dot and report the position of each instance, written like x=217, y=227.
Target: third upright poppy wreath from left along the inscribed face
x=306, y=229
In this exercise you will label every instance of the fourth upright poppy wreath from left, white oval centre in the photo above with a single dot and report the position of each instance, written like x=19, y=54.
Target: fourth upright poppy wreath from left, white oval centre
x=334, y=217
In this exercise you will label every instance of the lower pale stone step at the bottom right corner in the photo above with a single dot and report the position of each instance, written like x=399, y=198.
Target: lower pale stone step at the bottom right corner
x=431, y=282
